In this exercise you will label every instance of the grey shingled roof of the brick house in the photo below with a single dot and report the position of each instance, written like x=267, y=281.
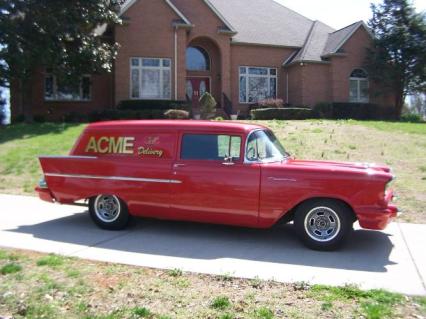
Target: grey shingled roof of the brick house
x=268, y=23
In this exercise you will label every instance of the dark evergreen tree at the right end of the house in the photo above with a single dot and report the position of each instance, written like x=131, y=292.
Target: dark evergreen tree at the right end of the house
x=398, y=60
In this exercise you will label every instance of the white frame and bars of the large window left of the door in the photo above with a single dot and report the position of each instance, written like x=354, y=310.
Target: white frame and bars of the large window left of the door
x=140, y=68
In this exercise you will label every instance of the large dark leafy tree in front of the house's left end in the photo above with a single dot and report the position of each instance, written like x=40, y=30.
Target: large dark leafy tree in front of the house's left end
x=55, y=35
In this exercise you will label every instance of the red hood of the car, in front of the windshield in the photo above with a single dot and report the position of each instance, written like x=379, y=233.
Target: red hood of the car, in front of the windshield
x=341, y=165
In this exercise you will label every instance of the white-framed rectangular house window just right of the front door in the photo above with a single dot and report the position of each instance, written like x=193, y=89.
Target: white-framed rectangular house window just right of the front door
x=257, y=84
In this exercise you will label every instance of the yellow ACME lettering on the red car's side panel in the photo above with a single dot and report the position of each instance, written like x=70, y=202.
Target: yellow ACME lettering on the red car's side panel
x=110, y=145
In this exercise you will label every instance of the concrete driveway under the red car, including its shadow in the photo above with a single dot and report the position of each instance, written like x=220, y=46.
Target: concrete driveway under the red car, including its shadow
x=394, y=259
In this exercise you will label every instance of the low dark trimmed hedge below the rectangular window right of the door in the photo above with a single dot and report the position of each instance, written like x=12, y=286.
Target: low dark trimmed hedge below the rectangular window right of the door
x=282, y=114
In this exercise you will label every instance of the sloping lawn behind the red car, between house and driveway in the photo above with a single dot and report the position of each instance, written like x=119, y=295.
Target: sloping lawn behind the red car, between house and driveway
x=400, y=145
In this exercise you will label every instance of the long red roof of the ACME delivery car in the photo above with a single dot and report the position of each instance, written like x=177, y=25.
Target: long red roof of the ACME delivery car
x=178, y=125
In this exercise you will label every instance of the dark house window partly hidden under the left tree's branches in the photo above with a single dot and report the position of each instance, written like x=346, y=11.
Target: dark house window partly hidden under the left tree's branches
x=54, y=90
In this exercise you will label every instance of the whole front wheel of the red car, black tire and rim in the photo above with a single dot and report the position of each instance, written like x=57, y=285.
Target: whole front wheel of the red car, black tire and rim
x=323, y=224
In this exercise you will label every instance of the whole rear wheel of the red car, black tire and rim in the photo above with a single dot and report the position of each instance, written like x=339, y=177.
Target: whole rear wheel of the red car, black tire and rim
x=109, y=212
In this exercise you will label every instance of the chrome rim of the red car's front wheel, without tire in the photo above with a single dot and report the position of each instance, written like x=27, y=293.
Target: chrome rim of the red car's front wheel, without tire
x=322, y=224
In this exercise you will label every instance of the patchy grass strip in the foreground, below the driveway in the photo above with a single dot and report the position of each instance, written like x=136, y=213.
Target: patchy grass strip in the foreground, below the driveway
x=108, y=291
